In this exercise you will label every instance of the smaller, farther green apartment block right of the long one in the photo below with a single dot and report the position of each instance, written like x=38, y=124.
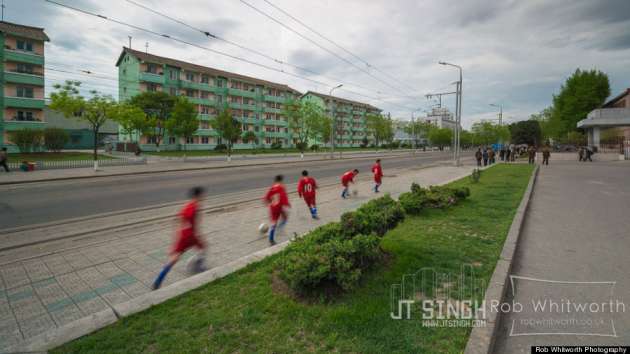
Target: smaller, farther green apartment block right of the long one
x=349, y=116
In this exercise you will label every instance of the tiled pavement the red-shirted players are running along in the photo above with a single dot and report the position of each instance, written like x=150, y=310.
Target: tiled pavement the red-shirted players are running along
x=91, y=275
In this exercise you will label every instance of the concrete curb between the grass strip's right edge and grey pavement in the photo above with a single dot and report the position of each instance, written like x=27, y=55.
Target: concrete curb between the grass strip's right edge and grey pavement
x=482, y=339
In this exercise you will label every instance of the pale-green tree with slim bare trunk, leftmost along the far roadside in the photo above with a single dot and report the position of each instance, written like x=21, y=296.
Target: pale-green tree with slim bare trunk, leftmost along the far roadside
x=95, y=111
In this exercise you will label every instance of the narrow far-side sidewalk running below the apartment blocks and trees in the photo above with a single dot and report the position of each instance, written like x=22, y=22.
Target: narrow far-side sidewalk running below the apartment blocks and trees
x=170, y=166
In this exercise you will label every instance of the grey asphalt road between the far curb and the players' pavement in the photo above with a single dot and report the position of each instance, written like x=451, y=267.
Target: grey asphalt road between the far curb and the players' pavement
x=55, y=201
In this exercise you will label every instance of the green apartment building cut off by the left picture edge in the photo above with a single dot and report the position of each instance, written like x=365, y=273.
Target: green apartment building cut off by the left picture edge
x=21, y=79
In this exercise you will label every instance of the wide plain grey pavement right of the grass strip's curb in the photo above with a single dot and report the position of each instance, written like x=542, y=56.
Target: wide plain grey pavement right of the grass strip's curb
x=576, y=230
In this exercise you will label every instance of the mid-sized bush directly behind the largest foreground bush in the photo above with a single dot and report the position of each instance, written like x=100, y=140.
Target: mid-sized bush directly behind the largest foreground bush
x=376, y=216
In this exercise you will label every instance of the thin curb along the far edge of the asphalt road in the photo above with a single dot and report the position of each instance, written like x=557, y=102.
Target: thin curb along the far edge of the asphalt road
x=195, y=169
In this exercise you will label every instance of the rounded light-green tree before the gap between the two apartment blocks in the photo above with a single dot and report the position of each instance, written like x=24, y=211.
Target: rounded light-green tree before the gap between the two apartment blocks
x=304, y=119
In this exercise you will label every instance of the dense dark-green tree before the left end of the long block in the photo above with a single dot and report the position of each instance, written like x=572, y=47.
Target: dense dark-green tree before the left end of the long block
x=158, y=107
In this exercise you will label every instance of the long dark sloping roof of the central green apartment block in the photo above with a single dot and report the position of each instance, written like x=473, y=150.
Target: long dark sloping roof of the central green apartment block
x=152, y=58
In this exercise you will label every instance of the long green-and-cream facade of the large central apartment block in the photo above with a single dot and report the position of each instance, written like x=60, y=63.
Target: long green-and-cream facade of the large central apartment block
x=256, y=103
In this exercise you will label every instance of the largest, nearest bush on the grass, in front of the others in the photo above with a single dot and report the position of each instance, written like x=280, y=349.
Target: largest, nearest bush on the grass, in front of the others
x=335, y=263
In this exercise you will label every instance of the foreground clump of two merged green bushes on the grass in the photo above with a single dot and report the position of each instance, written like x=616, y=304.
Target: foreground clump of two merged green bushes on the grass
x=335, y=255
